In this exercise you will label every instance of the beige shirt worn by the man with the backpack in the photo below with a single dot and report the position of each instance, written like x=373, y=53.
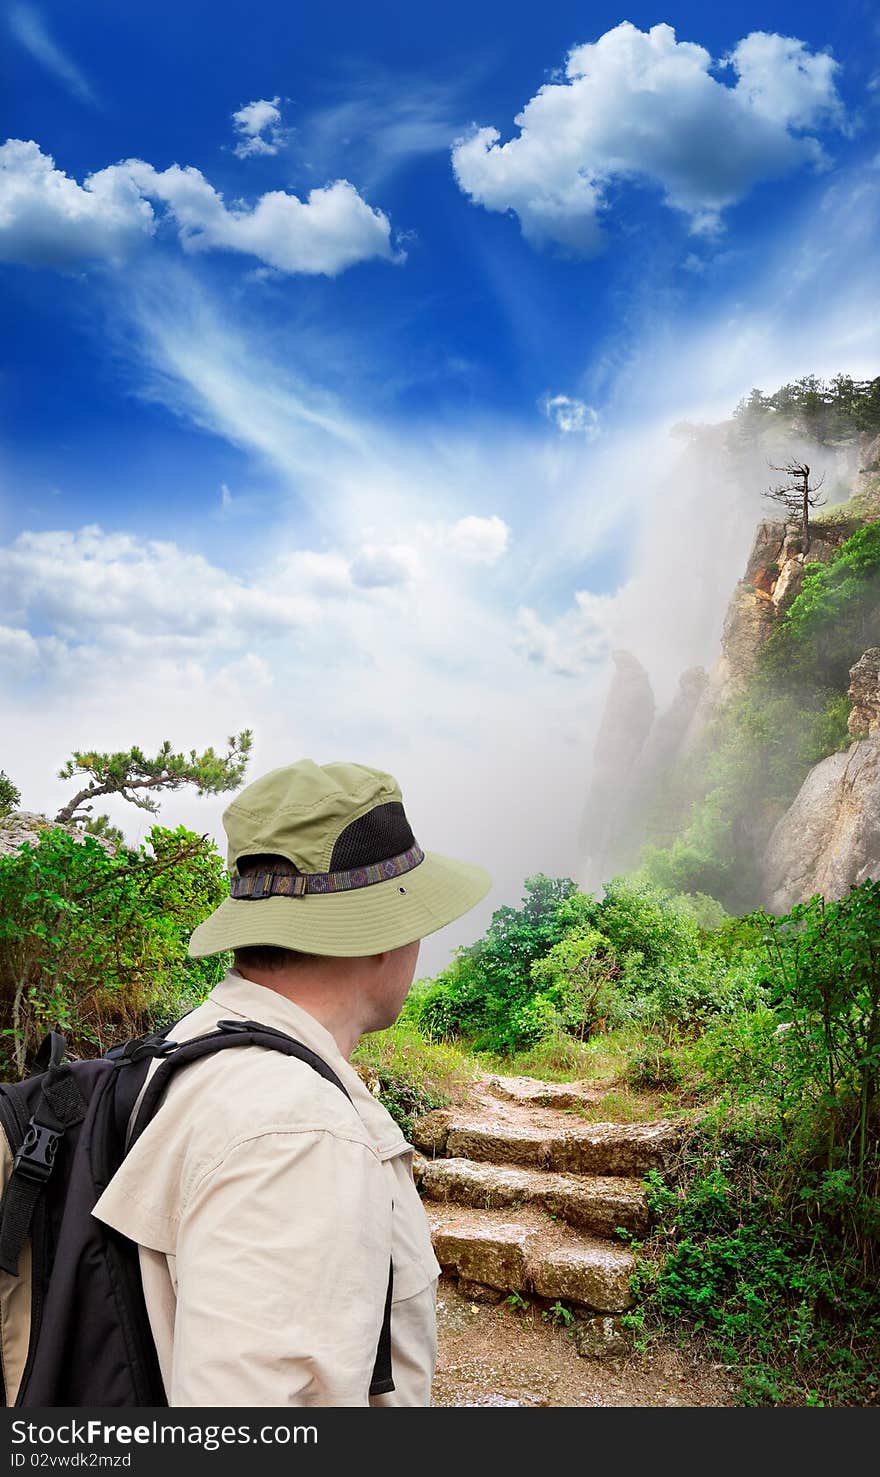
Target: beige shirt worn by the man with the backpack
x=265, y=1206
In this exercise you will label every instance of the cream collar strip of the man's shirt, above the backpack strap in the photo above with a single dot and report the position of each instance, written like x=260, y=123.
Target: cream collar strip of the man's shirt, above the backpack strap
x=237, y=996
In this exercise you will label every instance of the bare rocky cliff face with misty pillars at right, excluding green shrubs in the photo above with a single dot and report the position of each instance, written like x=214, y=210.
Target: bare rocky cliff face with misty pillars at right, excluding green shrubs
x=829, y=838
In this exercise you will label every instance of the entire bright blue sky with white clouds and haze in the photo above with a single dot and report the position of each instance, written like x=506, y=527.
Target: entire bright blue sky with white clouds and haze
x=339, y=343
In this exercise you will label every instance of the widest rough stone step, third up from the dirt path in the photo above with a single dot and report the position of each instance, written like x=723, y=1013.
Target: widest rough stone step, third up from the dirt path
x=597, y=1148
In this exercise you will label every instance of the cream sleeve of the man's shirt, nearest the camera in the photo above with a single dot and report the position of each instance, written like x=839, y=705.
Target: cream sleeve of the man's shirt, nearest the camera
x=281, y=1271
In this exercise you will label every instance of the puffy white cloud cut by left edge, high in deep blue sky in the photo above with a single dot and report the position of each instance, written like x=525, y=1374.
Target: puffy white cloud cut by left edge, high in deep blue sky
x=47, y=219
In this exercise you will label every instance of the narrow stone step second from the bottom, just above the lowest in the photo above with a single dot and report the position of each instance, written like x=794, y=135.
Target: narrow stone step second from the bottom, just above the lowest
x=588, y=1203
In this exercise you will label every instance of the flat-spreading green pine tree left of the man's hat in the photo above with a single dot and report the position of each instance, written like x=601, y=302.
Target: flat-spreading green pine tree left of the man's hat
x=137, y=778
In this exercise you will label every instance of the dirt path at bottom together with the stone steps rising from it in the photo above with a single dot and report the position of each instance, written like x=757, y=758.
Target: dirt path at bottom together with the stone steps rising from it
x=523, y=1185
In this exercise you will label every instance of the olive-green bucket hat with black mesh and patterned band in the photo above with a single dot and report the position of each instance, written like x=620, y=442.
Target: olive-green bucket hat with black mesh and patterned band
x=361, y=883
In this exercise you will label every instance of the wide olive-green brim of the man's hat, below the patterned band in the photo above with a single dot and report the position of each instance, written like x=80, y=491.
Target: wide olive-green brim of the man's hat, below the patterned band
x=365, y=921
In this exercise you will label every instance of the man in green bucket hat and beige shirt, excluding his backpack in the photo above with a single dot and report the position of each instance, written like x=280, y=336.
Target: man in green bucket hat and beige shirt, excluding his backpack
x=267, y=1204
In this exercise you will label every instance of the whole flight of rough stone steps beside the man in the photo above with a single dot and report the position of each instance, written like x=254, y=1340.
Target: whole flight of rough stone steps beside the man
x=525, y=1196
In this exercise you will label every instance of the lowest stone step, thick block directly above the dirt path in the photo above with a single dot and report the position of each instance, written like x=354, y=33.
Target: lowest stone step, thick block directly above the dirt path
x=523, y=1253
